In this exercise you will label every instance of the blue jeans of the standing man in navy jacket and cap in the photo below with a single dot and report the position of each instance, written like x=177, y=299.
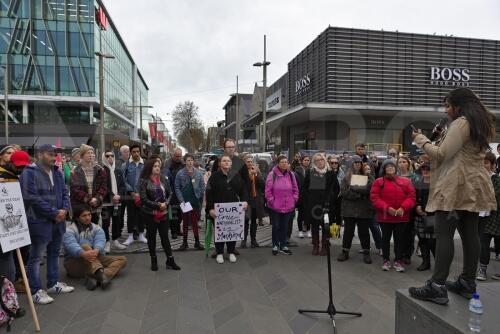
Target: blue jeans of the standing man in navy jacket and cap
x=36, y=252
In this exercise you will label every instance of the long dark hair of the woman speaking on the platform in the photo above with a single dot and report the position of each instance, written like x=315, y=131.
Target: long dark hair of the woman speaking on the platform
x=481, y=120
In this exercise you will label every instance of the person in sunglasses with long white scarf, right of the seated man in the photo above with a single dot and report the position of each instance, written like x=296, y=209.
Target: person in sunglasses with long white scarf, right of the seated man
x=116, y=189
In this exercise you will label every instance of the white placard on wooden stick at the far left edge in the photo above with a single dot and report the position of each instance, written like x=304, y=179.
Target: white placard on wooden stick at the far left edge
x=14, y=232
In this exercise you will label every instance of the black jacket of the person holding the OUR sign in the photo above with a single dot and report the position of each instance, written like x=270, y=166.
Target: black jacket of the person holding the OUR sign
x=223, y=188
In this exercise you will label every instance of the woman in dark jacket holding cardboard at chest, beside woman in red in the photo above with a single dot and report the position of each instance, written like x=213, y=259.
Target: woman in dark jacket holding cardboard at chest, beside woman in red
x=356, y=210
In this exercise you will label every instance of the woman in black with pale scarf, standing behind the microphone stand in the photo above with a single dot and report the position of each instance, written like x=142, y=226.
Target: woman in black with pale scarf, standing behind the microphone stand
x=319, y=185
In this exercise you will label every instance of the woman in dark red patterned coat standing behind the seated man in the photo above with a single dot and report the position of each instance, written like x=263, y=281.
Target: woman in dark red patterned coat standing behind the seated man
x=88, y=183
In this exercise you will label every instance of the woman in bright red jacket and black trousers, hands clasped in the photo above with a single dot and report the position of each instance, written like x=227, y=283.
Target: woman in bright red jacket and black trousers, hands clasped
x=393, y=197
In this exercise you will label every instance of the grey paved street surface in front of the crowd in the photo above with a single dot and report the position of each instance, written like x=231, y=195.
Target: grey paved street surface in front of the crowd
x=259, y=294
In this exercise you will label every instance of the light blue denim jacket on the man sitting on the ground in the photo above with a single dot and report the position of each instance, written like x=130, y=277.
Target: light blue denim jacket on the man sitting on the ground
x=74, y=239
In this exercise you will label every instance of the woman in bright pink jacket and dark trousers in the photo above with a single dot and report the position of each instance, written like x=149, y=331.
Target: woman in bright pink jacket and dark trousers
x=282, y=194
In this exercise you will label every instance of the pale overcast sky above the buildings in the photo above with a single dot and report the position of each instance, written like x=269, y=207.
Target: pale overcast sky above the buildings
x=193, y=49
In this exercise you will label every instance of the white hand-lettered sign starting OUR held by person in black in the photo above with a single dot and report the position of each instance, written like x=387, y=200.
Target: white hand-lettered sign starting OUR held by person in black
x=229, y=222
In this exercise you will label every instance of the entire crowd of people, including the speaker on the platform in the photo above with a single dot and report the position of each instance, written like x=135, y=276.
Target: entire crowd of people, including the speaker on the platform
x=396, y=198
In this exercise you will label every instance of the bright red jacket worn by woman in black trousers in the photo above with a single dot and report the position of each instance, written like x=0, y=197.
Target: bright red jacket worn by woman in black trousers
x=395, y=193
